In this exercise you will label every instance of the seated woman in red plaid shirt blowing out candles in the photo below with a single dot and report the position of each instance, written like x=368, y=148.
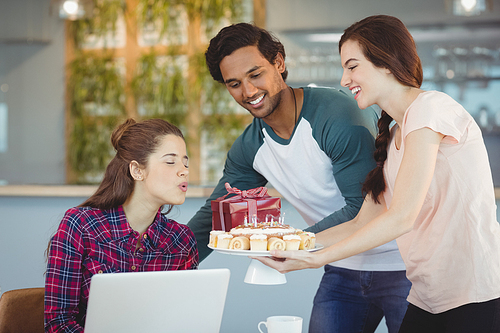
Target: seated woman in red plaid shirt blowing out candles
x=121, y=228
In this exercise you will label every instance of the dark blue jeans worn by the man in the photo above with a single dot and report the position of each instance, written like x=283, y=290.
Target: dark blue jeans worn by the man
x=349, y=301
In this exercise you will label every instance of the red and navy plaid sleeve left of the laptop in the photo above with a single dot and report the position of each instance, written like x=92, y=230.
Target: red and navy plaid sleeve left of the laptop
x=64, y=276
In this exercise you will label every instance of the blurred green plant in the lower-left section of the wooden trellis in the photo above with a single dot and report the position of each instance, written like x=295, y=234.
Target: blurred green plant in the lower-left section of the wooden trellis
x=97, y=106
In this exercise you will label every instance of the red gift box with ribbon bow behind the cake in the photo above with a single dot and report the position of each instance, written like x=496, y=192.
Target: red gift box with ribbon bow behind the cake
x=231, y=212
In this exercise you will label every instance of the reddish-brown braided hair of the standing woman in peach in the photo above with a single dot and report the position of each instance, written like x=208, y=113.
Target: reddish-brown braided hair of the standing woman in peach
x=386, y=43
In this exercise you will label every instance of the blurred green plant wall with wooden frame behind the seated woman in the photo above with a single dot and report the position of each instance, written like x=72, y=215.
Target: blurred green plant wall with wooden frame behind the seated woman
x=174, y=84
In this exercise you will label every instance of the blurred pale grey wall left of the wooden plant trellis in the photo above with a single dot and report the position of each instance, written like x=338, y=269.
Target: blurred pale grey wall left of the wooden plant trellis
x=32, y=86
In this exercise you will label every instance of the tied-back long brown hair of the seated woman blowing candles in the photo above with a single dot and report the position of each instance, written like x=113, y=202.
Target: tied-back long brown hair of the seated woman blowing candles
x=132, y=141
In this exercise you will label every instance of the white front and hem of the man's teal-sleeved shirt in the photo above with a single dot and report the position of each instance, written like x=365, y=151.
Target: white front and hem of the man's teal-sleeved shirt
x=316, y=194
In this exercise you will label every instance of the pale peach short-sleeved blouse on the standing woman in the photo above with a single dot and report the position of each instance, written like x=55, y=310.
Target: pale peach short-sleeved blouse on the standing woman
x=452, y=255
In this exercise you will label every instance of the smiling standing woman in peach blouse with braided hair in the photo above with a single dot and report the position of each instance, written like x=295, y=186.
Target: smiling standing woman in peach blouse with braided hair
x=432, y=189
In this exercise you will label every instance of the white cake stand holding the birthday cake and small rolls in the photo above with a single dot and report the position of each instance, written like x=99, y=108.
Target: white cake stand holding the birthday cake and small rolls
x=257, y=272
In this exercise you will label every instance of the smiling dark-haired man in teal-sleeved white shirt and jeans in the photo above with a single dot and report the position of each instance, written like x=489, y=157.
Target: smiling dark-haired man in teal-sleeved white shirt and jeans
x=315, y=147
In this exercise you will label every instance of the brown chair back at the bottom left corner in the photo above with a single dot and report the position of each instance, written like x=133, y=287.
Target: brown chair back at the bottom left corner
x=22, y=311
